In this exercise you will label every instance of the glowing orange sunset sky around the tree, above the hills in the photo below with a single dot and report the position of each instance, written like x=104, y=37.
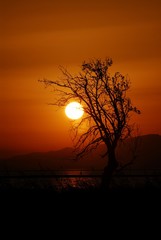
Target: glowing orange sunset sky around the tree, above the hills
x=37, y=36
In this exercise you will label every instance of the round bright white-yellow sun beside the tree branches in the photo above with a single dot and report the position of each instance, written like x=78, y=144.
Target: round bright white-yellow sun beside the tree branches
x=74, y=110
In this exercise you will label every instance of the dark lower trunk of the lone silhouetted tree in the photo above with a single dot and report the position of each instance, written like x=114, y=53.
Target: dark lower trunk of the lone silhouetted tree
x=109, y=170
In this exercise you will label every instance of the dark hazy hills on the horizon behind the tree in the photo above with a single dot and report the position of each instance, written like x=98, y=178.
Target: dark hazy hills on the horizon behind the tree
x=148, y=157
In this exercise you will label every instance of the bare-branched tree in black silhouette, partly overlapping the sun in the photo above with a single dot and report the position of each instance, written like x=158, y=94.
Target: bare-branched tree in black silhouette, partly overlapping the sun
x=107, y=109
